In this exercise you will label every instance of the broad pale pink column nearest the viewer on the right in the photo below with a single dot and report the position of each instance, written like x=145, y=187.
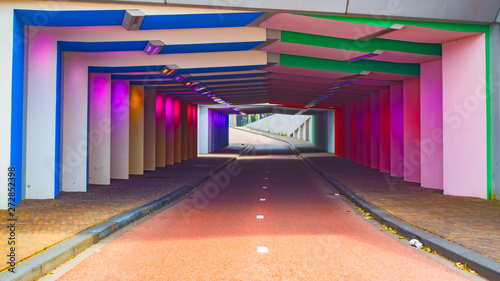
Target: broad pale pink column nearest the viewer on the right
x=465, y=117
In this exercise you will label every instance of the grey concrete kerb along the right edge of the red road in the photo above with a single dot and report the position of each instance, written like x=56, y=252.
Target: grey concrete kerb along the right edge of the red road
x=486, y=267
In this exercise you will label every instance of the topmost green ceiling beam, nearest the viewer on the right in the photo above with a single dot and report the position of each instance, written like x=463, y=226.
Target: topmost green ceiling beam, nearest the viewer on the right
x=384, y=22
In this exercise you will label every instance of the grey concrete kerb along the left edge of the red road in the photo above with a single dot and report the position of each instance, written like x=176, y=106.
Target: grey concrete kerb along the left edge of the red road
x=41, y=264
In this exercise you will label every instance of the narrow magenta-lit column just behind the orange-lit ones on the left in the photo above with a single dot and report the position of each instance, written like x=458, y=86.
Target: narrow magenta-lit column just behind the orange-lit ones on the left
x=160, y=131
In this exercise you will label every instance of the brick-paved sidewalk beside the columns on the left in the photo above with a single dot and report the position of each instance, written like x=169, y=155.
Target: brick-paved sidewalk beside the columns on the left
x=43, y=223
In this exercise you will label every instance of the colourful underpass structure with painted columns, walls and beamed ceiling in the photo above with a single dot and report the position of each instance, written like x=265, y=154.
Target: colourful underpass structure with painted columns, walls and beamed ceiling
x=102, y=91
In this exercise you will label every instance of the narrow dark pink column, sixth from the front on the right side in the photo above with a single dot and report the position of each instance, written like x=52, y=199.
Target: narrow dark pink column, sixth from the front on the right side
x=375, y=131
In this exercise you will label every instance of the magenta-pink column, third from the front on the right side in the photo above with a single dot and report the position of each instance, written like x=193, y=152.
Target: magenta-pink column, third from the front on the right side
x=411, y=111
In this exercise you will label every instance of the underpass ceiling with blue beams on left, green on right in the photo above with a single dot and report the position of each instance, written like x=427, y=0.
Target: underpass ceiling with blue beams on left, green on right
x=308, y=55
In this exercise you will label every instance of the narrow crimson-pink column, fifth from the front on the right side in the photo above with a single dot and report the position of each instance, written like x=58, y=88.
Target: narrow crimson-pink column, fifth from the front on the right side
x=385, y=131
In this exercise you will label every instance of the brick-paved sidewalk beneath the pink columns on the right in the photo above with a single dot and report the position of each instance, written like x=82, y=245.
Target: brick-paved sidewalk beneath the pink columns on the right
x=471, y=222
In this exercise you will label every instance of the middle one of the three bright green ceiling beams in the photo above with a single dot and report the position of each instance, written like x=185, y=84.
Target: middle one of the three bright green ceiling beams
x=361, y=46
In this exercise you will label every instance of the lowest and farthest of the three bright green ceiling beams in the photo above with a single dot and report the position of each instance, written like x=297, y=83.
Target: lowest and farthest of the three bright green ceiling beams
x=350, y=67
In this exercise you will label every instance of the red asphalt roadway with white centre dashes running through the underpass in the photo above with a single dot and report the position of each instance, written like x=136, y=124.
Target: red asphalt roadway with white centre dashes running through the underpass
x=214, y=234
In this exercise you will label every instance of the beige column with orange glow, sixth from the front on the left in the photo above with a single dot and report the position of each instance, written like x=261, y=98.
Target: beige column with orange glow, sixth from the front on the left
x=149, y=130
